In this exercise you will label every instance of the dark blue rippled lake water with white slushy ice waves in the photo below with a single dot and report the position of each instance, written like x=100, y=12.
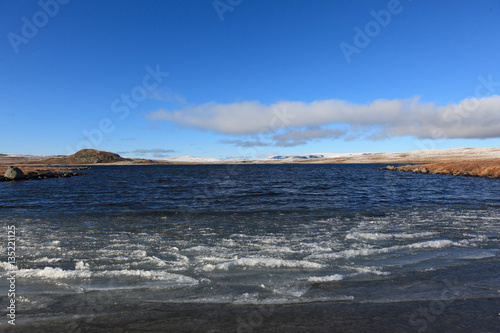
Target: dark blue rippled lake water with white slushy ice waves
x=253, y=234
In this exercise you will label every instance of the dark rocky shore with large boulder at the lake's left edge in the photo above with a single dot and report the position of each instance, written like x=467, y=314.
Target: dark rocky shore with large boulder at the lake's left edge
x=13, y=173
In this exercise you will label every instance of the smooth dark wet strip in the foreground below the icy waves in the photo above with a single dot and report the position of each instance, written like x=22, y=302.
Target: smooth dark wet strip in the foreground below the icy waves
x=476, y=315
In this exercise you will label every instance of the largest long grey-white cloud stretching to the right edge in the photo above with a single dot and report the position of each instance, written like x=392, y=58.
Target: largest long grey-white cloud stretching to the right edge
x=471, y=118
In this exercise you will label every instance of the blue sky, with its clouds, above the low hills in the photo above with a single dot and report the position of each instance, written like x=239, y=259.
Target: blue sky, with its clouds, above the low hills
x=241, y=78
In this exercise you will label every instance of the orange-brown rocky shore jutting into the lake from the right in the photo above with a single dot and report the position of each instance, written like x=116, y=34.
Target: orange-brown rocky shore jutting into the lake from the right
x=487, y=169
